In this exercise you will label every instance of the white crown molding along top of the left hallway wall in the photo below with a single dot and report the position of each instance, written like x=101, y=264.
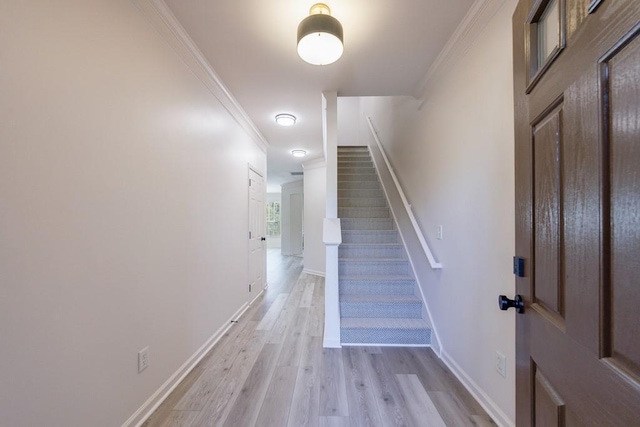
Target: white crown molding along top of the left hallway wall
x=164, y=21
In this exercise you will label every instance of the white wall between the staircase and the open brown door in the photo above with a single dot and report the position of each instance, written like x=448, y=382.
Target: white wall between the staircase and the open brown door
x=454, y=158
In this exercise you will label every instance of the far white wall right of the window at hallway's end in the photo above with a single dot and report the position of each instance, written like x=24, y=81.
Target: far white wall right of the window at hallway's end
x=290, y=244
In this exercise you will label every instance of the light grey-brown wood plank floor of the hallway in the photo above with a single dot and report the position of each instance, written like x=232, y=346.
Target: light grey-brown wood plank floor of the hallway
x=270, y=369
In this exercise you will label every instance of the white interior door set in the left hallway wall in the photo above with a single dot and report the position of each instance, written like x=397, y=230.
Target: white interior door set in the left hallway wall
x=257, y=239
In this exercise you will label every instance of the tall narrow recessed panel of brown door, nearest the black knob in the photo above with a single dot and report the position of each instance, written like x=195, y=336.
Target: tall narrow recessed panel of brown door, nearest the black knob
x=582, y=203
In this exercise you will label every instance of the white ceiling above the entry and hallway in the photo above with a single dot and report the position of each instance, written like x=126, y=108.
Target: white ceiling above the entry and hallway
x=251, y=44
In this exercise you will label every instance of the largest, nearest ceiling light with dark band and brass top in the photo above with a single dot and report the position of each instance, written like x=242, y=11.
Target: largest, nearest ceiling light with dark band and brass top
x=320, y=40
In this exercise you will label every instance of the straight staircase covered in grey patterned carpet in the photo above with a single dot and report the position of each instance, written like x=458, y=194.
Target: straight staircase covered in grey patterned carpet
x=378, y=301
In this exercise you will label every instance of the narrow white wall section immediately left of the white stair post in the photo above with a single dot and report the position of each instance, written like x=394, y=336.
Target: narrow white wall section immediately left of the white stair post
x=315, y=187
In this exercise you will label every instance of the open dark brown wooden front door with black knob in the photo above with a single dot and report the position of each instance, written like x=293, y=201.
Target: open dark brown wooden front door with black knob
x=577, y=117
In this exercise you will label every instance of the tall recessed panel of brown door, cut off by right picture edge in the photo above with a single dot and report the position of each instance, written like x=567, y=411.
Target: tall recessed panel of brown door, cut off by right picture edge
x=622, y=76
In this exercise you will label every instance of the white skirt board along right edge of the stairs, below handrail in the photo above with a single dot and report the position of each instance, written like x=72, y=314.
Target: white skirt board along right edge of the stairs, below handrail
x=385, y=183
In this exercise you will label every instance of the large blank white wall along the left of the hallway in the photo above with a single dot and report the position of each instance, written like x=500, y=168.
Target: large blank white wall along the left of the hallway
x=123, y=212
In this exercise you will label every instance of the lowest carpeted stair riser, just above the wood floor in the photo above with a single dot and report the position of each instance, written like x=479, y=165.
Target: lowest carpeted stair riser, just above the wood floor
x=385, y=336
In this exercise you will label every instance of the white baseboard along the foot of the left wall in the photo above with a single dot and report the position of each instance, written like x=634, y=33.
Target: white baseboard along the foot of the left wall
x=145, y=411
